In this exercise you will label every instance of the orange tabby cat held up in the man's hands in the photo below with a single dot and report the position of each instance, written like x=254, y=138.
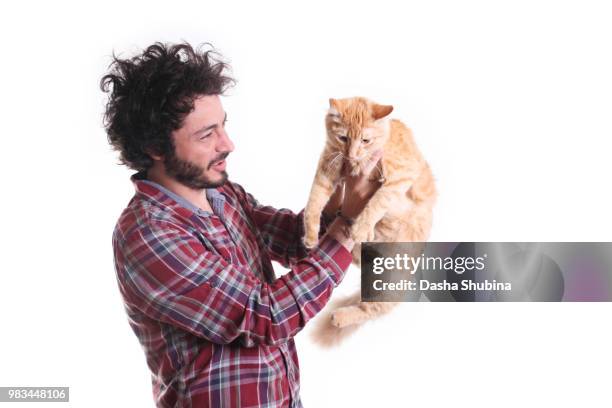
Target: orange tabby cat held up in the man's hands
x=400, y=211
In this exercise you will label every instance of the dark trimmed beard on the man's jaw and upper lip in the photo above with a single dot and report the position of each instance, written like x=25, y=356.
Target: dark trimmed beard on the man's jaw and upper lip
x=190, y=174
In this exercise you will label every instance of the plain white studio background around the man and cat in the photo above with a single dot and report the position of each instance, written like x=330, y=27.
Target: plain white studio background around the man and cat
x=509, y=101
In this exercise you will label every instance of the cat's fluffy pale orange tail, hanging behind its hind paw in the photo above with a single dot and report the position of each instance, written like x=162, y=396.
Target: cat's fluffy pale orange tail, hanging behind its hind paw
x=325, y=334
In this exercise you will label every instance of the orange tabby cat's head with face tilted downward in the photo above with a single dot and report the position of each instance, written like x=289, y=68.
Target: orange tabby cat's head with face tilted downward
x=357, y=127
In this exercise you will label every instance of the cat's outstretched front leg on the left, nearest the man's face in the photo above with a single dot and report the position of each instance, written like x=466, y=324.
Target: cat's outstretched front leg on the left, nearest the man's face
x=320, y=193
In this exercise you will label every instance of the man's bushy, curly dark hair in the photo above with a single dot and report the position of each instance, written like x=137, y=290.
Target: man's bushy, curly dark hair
x=151, y=93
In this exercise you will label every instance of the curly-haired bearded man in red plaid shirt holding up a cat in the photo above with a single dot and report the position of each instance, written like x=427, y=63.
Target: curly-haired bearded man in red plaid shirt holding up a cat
x=193, y=250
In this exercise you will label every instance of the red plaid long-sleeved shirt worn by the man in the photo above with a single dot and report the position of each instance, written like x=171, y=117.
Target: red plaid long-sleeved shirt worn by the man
x=200, y=292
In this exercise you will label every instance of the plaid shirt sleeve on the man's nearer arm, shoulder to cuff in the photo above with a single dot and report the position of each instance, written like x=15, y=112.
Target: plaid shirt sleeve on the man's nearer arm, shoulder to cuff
x=167, y=274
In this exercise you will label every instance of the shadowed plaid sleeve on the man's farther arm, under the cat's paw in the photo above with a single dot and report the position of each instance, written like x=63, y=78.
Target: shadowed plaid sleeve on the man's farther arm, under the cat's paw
x=281, y=229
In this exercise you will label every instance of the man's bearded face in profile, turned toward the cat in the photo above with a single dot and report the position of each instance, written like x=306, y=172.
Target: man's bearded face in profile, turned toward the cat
x=201, y=146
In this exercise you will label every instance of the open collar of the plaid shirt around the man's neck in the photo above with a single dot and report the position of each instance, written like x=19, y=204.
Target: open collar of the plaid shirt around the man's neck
x=152, y=189
